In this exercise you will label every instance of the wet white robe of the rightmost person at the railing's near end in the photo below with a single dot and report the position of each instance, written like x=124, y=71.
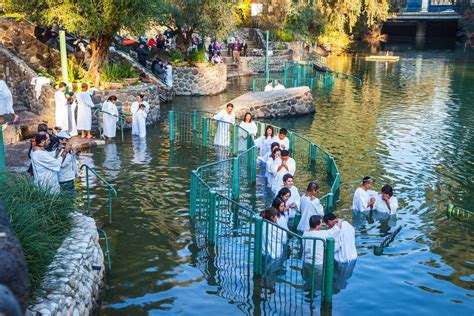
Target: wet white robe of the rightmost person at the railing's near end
x=344, y=250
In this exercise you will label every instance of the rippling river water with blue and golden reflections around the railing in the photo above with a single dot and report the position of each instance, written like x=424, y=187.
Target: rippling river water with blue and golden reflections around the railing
x=410, y=124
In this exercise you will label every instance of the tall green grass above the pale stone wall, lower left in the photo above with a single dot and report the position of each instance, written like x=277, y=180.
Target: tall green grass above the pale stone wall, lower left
x=41, y=221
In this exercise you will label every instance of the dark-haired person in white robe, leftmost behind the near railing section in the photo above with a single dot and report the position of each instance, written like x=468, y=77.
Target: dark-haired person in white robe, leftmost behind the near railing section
x=273, y=238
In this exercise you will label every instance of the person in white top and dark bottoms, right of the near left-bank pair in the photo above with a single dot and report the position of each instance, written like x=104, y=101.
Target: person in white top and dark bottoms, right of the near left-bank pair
x=68, y=171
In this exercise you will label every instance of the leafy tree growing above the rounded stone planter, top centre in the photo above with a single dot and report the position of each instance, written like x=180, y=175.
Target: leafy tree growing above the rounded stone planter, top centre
x=215, y=17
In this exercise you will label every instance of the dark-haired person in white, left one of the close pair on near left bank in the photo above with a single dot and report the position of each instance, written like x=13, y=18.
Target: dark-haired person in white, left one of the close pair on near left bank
x=46, y=165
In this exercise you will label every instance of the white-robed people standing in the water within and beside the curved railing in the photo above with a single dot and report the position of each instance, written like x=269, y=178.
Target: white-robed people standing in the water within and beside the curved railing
x=281, y=215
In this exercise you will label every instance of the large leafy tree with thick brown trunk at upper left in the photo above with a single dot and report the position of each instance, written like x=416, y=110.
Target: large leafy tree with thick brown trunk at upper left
x=99, y=20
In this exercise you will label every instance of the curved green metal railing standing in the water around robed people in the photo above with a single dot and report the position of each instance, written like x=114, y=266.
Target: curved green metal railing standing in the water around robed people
x=222, y=212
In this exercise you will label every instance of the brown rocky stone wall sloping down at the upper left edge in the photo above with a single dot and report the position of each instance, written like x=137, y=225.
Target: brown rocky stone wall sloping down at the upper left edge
x=18, y=36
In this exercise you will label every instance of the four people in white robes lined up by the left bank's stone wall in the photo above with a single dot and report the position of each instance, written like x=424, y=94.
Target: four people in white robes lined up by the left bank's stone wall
x=67, y=103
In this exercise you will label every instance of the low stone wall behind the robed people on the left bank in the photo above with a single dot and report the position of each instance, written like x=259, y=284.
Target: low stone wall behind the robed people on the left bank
x=127, y=96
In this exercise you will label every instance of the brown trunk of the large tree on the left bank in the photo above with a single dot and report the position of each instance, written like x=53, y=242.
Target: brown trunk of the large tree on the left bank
x=100, y=57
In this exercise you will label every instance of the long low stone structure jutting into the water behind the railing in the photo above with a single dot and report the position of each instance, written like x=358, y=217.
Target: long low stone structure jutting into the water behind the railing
x=273, y=104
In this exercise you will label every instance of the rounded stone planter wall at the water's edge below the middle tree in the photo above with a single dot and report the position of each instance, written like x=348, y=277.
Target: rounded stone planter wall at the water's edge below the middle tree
x=205, y=80
